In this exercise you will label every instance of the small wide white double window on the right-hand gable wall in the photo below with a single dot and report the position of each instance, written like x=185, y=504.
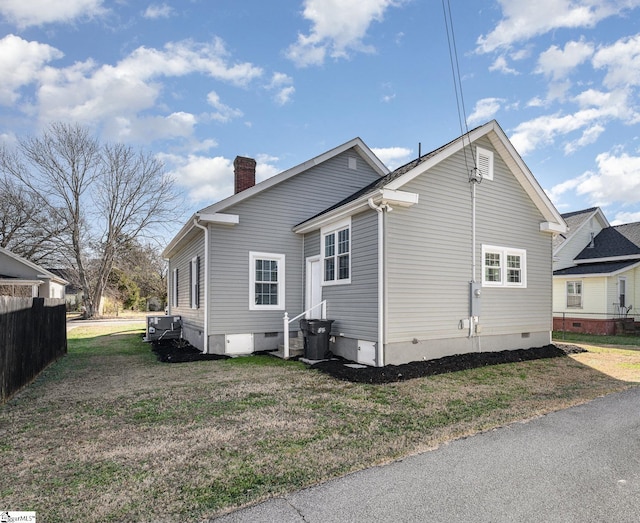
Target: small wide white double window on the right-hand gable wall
x=503, y=267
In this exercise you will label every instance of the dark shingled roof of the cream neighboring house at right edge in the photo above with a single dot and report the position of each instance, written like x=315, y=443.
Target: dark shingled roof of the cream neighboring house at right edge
x=617, y=242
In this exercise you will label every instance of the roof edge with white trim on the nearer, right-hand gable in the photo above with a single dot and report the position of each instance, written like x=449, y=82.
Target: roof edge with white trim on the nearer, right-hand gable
x=401, y=176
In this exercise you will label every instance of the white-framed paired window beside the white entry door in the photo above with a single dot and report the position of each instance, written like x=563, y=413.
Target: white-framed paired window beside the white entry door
x=336, y=253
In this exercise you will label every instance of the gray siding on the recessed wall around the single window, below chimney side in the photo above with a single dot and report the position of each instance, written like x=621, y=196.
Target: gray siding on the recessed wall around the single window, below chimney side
x=266, y=222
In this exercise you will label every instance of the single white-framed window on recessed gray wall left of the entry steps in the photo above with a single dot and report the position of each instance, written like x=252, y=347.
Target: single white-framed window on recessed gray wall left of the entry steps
x=266, y=281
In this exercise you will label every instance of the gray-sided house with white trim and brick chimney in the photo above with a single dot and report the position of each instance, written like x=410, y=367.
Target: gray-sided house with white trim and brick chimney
x=415, y=264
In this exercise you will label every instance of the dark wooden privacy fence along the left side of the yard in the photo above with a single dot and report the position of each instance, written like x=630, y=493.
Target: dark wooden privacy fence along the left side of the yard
x=33, y=333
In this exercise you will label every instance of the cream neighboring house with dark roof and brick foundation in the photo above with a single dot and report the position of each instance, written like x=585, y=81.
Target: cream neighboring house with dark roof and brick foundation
x=599, y=291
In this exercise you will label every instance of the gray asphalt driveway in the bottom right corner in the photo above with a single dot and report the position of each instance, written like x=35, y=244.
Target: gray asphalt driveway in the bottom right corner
x=577, y=465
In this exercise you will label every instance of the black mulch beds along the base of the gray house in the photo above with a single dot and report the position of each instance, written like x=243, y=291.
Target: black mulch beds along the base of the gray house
x=181, y=352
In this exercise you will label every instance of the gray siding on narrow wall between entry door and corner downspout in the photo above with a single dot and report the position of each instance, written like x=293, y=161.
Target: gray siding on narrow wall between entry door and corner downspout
x=354, y=306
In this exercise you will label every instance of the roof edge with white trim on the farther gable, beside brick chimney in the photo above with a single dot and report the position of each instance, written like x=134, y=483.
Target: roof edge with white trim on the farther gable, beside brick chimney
x=217, y=209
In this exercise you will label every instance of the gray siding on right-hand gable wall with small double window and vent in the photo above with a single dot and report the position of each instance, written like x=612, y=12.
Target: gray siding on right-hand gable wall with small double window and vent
x=429, y=255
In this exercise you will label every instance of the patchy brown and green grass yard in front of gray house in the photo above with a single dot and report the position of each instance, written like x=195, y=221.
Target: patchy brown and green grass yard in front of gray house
x=110, y=434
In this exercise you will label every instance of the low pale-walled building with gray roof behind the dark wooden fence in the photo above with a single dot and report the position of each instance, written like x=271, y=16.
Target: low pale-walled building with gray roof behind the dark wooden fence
x=21, y=277
